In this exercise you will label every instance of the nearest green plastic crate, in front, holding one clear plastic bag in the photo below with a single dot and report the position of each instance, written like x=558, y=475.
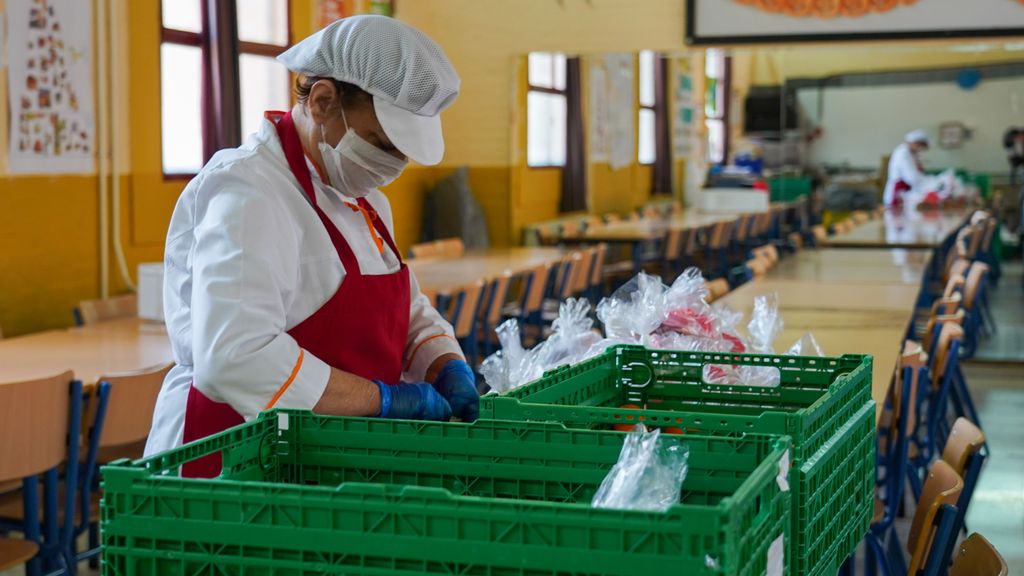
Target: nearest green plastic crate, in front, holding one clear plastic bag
x=305, y=495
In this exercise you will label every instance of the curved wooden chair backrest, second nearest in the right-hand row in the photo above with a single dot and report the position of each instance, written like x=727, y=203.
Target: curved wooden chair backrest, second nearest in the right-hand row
x=943, y=487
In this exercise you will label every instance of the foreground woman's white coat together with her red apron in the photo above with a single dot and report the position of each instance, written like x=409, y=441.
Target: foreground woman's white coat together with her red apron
x=272, y=278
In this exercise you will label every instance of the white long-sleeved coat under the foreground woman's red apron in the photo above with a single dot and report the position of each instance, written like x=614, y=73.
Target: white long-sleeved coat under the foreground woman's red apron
x=247, y=260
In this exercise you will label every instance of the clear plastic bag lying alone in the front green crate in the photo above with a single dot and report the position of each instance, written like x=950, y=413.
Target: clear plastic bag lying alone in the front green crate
x=649, y=475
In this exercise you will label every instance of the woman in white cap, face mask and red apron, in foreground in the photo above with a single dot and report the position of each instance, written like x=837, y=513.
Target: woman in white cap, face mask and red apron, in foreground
x=283, y=286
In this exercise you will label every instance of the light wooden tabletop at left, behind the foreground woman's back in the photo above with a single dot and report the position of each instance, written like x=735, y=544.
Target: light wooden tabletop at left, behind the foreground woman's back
x=92, y=352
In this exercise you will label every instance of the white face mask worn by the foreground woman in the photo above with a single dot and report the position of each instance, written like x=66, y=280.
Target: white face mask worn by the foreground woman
x=358, y=168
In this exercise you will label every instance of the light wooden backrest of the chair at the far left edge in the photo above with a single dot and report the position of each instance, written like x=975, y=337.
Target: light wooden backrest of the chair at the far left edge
x=34, y=426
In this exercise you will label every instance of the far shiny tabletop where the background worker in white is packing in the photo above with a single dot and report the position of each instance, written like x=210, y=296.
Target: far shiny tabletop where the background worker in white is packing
x=904, y=229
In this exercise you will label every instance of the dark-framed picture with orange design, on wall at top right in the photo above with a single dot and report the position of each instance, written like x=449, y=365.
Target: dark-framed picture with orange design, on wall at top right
x=715, y=23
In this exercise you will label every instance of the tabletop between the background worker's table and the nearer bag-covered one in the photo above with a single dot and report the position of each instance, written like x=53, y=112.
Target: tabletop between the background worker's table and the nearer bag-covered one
x=895, y=266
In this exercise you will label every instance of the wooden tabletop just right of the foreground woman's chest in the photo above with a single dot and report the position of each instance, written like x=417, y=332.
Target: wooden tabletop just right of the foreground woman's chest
x=439, y=276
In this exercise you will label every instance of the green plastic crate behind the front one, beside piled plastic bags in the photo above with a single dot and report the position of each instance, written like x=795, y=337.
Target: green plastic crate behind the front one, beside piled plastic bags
x=815, y=404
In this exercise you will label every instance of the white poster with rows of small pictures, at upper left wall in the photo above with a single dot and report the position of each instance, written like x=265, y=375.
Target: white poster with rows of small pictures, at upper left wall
x=50, y=79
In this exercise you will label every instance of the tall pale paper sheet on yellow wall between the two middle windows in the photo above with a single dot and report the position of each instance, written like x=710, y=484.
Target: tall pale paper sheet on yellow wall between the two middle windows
x=622, y=125
